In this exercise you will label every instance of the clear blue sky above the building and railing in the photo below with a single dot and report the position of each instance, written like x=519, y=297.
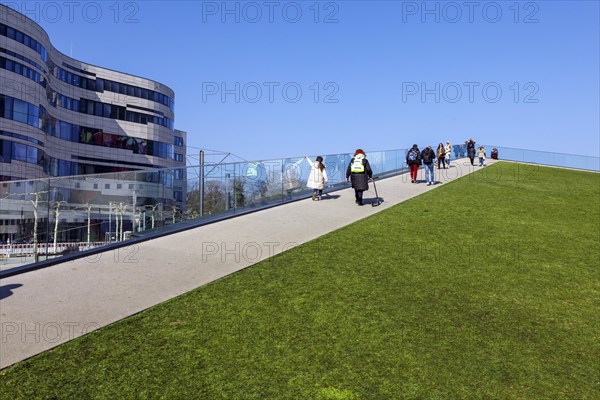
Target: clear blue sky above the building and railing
x=377, y=75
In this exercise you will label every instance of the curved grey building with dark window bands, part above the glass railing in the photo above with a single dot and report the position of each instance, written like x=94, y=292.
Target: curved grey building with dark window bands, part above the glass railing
x=61, y=117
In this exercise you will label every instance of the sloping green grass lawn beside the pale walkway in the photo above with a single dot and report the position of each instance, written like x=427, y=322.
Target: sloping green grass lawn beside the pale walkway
x=485, y=288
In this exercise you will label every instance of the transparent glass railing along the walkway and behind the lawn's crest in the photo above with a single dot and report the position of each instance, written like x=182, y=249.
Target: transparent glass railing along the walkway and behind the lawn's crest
x=48, y=218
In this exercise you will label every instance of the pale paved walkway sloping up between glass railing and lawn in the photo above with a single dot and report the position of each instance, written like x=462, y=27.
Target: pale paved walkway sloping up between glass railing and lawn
x=42, y=309
